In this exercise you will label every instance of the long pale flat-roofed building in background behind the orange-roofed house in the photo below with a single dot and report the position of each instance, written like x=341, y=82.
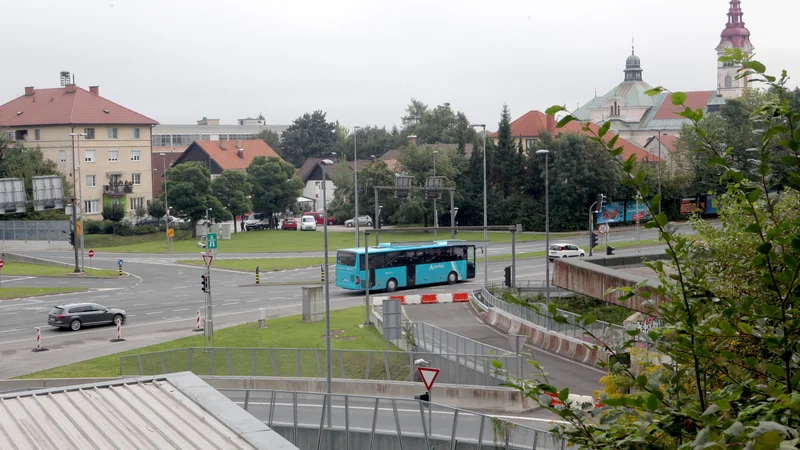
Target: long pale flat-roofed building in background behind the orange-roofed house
x=178, y=137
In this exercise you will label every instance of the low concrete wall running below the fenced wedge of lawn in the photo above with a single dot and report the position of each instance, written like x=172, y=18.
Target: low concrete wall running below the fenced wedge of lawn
x=479, y=398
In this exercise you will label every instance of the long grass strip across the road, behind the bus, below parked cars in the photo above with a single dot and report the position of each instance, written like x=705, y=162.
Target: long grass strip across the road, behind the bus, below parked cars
x=292, y=241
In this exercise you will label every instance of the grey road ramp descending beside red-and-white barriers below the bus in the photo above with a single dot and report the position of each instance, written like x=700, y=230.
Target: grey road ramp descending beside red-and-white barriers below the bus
x=459, y=318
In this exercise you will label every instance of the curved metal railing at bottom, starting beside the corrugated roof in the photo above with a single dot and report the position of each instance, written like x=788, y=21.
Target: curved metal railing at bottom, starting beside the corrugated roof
x=314, y=421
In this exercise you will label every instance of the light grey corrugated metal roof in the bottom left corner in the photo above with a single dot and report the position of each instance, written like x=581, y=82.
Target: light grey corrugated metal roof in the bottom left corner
x=177, y=411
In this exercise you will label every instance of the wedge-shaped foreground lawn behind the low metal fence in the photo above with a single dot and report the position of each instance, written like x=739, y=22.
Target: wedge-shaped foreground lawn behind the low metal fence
x=282, y=332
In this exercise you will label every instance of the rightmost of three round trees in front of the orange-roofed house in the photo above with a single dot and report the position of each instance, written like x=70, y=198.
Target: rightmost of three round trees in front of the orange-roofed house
x=275, y=186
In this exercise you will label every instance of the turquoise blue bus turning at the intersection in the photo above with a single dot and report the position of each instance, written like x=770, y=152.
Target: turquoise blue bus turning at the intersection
x=400, y=265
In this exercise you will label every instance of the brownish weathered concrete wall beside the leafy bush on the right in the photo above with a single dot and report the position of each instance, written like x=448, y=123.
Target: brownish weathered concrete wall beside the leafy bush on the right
x=592, y=280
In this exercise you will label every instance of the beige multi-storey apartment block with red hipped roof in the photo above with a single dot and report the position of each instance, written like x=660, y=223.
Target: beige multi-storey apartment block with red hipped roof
x=113, y=164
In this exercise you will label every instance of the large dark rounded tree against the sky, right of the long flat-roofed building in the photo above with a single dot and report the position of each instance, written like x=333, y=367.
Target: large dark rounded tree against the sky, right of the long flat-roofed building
x=309, y=135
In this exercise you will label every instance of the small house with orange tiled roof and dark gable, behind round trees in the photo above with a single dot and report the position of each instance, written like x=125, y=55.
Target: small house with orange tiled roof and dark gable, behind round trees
x=218, y=156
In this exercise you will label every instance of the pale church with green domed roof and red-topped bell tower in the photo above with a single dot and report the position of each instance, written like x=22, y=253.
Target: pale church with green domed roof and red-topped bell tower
x=638, y=117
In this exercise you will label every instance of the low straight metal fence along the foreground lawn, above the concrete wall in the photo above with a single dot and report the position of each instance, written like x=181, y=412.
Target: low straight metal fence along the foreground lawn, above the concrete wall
x=468, y=369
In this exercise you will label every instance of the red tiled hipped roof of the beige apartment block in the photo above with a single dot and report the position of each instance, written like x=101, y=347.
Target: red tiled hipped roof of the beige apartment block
x=60, y=107
